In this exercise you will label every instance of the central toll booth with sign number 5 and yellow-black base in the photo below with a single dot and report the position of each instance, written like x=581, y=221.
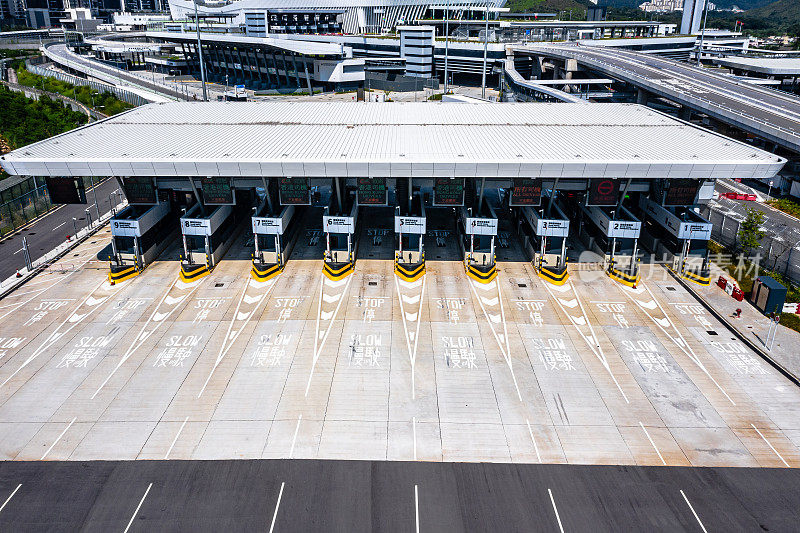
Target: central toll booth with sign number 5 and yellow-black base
x=409, y=253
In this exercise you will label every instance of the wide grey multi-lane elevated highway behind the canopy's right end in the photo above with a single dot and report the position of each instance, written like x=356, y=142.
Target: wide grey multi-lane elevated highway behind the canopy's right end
x=769, y=114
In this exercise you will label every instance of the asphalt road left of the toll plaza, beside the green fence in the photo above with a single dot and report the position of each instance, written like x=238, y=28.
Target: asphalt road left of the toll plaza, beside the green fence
x=52, y=229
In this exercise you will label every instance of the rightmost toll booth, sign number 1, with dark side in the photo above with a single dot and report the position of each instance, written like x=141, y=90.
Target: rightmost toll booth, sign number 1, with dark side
x=678, y=234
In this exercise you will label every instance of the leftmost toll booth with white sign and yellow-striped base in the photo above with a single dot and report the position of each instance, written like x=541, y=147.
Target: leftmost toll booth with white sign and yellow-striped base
x=139, y=233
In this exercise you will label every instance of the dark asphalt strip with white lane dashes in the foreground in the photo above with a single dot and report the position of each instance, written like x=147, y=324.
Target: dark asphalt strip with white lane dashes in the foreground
x=350, y=496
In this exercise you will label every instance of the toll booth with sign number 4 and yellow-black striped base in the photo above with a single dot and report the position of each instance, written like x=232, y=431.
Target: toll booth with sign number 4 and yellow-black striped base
x=478, y=235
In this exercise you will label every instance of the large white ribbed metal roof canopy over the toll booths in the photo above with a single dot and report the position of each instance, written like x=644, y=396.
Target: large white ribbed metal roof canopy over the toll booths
x=426, y=139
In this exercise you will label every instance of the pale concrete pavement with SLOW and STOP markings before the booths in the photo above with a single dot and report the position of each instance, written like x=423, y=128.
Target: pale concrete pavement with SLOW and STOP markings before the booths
x=374, y=369
